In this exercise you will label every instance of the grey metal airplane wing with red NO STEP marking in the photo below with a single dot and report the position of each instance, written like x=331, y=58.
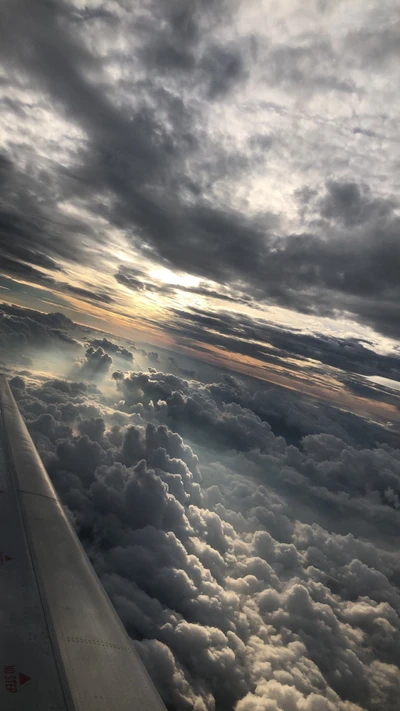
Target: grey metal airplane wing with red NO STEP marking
x=62, y=645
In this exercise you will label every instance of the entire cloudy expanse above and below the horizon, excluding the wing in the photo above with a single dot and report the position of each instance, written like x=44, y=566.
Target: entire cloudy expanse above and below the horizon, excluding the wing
x=199, y=316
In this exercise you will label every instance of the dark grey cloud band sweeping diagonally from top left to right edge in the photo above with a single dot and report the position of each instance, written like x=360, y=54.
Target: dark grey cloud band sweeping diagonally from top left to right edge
x=351, y=263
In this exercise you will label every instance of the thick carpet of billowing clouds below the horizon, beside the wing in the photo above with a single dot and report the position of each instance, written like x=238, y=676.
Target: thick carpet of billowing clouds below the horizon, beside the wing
x=235, y=570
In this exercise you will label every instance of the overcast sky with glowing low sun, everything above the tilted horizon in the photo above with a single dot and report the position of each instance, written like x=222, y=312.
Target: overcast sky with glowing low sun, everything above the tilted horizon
x=214, y=176
